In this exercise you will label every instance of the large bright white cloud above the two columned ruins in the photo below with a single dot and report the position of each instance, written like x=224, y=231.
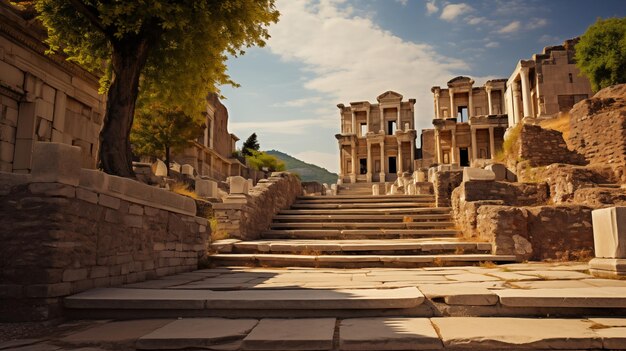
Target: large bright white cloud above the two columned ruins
x=353, y=59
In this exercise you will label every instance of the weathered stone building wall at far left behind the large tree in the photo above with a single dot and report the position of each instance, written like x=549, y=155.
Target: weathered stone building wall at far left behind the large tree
x=42, y=97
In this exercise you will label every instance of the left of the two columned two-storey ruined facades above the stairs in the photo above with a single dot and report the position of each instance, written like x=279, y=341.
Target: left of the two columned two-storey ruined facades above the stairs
x=377, y=141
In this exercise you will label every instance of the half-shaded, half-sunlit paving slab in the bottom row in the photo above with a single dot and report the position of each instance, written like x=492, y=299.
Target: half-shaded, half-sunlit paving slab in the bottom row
x=388, y=334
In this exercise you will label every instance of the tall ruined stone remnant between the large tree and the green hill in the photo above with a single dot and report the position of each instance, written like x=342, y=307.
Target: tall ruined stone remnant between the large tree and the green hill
x=212, y=153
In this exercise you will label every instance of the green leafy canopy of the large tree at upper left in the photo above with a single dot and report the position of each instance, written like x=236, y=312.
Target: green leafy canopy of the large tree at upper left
x=188, y=41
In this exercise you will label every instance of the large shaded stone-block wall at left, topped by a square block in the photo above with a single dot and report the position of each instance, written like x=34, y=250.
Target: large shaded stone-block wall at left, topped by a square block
x=67, y=229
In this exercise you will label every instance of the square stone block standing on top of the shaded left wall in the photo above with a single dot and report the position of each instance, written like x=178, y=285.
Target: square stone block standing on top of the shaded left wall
x=54, y=162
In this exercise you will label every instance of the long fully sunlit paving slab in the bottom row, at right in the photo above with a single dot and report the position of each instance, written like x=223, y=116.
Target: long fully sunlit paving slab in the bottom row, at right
x=518, y=333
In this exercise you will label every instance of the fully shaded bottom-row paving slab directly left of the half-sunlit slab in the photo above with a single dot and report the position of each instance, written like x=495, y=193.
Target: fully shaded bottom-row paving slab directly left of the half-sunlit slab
x=287, y=334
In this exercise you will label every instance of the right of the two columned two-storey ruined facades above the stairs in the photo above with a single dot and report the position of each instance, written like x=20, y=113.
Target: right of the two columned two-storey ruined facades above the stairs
x=469, y=123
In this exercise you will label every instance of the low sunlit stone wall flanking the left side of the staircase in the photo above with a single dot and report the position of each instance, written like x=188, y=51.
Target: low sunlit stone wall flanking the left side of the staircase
x=250, y=214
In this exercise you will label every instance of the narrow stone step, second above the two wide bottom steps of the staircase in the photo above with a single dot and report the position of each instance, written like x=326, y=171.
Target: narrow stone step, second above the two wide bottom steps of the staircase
x=356, y=225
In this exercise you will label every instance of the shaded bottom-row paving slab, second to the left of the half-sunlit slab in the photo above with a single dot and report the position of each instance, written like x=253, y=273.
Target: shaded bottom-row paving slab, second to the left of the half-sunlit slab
x=196, y=333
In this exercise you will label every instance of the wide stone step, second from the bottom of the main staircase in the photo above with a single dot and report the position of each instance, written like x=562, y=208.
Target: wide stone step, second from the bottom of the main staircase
x=357, y=246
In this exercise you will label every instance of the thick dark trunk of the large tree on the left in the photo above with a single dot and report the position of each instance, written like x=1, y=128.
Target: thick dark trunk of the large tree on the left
x=128, y=59
